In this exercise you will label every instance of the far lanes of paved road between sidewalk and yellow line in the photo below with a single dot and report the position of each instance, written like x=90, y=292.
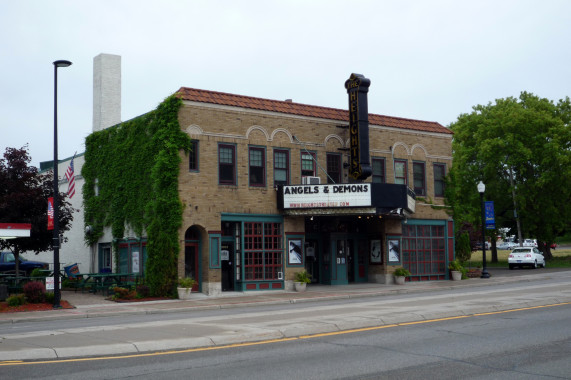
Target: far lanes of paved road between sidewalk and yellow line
x=214, y=323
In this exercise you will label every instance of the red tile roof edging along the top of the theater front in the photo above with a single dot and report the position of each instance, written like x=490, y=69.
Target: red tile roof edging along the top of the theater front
x=291, y=108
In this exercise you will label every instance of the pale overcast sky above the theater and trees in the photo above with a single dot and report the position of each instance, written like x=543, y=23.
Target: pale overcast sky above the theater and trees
x=428, y=60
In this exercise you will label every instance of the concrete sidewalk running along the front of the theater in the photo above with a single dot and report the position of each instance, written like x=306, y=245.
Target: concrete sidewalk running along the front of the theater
x=88, y=305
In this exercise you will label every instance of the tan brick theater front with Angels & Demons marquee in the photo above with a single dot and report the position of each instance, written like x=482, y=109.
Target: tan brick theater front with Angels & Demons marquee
x=267, y=192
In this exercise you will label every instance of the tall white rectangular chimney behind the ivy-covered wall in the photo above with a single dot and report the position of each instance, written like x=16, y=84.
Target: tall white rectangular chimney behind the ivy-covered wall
x=106, y=91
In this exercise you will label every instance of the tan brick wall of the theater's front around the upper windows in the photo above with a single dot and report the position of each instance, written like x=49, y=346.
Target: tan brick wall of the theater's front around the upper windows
x=205, y=200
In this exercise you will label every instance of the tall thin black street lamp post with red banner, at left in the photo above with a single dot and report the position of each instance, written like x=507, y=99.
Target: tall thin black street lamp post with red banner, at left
x=56, y=240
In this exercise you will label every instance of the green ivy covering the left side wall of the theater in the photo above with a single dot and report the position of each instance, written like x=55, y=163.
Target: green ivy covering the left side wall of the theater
x=135, y=166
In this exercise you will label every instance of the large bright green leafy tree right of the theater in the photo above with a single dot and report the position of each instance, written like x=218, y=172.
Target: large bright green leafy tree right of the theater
x=521, y=149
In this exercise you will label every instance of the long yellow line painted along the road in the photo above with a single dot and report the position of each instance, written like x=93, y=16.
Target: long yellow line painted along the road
x=269, y=341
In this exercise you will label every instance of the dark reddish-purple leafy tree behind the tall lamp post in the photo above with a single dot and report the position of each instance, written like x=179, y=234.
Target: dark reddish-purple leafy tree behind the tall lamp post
x=24, y=194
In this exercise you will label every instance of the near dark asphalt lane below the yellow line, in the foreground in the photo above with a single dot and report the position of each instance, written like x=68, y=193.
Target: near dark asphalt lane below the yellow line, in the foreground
x=525, y=344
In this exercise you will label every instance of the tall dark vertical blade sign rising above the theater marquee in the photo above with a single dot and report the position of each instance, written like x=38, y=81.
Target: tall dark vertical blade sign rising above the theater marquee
x=357, y=87
